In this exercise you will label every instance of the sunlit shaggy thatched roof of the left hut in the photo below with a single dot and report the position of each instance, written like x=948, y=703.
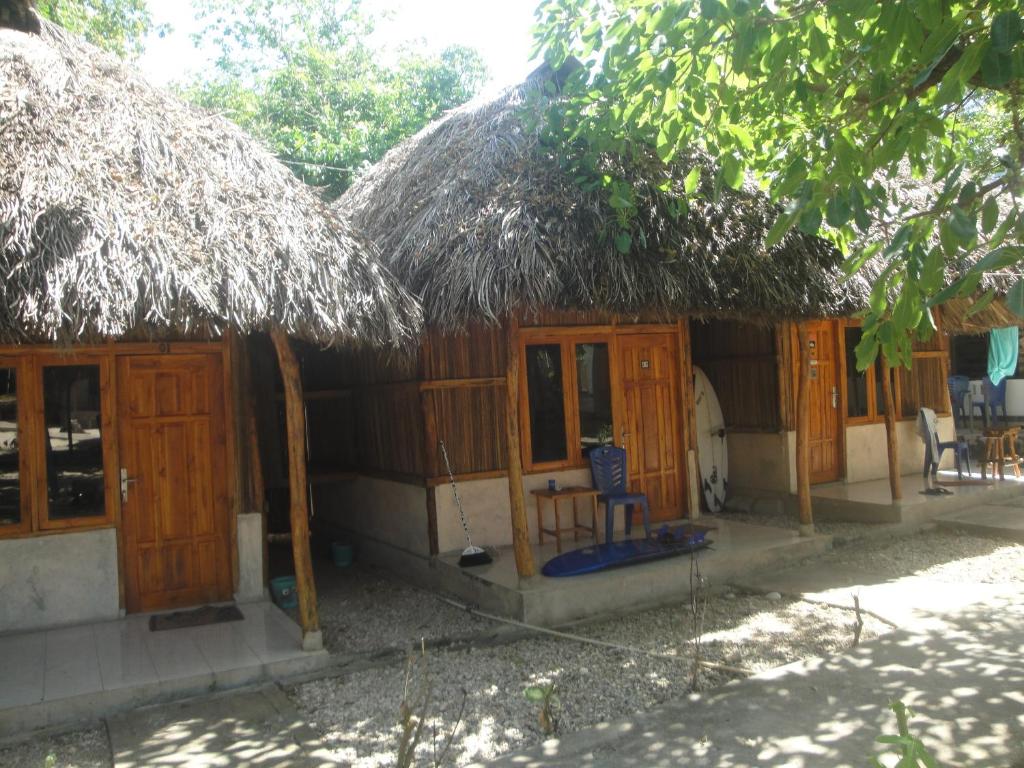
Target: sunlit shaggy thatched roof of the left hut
x=125, y=211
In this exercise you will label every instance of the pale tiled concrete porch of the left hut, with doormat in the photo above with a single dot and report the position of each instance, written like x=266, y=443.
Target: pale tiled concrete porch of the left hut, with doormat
x=73, y=673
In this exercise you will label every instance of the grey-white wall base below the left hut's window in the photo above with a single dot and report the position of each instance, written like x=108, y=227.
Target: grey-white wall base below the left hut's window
x=61, y=579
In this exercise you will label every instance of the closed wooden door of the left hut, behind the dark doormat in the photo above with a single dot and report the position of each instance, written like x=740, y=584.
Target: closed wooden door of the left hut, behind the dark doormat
x=176, y=510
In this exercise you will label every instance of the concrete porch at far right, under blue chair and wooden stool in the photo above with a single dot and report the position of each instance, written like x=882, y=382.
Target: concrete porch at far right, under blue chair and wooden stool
x=871, y=501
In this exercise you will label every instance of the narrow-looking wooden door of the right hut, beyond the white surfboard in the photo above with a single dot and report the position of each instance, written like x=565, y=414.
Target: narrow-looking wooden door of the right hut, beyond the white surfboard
x=824, y=402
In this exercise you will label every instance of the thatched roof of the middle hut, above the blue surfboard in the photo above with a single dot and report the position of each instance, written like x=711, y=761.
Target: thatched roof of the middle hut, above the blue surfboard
x=476, y=217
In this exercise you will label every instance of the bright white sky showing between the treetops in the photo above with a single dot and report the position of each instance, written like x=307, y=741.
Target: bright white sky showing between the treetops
x=500, y=30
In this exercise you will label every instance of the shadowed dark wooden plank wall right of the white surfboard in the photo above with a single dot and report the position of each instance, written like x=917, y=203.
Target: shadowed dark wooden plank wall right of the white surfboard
x=741, y=361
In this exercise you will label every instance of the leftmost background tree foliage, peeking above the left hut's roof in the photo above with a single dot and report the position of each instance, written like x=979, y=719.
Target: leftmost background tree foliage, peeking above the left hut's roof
x=117, y=26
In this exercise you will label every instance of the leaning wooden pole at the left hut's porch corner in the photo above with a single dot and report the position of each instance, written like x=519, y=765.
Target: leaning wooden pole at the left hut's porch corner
x=298, y=489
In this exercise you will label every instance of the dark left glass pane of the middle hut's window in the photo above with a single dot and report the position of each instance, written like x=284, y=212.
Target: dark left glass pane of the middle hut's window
x=547, y=409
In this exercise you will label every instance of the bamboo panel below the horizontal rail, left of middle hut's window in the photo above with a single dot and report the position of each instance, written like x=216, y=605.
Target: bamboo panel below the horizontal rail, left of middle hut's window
x=472, y=421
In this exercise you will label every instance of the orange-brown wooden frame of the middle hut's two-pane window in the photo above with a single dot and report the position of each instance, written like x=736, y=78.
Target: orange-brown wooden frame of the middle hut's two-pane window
x=567, y=343
